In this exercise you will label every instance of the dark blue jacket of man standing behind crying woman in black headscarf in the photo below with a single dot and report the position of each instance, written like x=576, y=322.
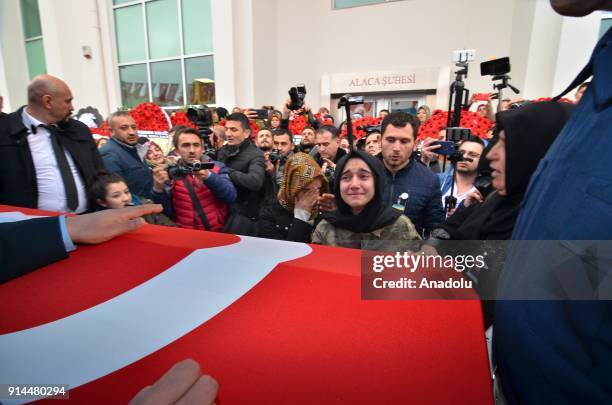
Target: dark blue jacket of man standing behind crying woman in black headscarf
x=424, y=205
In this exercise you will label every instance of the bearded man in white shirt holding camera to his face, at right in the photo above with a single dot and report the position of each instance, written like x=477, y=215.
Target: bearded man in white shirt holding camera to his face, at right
x=466, y=172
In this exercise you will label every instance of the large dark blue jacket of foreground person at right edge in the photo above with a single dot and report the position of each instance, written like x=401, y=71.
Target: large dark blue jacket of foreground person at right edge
x=558, y=352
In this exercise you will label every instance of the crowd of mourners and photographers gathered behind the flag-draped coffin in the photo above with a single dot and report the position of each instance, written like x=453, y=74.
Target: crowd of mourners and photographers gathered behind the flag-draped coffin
x=231, y=178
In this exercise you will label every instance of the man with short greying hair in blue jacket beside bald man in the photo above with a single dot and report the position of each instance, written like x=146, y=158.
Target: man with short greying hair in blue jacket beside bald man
x=123, y=155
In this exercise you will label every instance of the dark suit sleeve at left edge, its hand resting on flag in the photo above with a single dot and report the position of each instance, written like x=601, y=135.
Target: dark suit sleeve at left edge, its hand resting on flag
x=28, y=245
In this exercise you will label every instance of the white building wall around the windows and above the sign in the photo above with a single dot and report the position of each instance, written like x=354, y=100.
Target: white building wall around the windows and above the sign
x=263, y=47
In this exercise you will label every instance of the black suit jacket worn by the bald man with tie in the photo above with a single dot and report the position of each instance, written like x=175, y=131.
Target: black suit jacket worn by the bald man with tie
x=17, y=174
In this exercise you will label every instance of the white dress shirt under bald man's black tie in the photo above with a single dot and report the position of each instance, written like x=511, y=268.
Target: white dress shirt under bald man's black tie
x=51, y=191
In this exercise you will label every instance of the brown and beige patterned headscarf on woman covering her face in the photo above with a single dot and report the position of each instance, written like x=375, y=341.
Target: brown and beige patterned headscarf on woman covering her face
x=300, y=170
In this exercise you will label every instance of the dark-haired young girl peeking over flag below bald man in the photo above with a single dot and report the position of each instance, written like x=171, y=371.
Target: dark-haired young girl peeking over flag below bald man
x=109, y=191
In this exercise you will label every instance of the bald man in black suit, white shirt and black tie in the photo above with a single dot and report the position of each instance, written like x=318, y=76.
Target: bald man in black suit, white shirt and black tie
x=46, y=157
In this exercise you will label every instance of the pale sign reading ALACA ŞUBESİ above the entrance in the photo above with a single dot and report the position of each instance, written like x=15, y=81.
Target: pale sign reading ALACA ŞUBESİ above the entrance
x=414, y=79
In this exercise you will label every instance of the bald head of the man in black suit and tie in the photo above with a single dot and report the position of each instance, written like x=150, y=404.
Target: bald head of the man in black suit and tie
x=50, y=99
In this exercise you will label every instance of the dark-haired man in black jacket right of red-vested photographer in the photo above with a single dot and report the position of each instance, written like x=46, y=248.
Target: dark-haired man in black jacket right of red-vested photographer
x=246, y=166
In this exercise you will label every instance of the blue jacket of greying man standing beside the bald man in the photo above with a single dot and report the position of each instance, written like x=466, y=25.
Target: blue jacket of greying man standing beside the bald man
x=125, y=161
